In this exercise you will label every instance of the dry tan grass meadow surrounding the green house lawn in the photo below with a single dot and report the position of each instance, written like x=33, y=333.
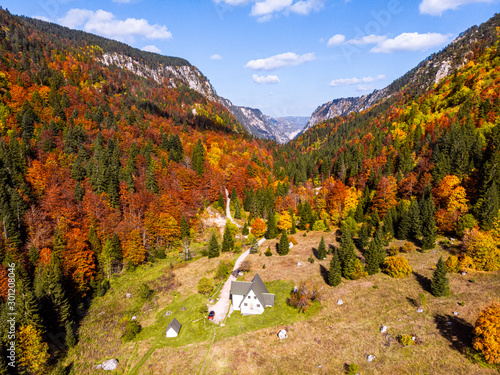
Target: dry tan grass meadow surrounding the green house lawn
x=326, y=342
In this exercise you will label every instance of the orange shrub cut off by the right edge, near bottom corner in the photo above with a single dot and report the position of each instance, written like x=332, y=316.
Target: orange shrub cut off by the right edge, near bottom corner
x=487, y=333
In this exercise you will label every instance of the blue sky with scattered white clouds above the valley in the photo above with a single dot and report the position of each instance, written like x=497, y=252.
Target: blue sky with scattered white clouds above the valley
x=285, y=57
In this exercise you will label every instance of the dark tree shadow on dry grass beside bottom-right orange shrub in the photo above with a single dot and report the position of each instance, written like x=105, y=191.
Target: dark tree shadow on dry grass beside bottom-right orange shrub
x=456, y=330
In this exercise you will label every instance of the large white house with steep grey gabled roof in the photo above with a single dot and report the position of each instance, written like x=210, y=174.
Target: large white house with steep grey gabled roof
x=250, y=297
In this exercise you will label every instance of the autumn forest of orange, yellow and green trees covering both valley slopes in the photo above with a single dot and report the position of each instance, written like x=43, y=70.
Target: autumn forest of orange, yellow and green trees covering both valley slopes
x=103, y=170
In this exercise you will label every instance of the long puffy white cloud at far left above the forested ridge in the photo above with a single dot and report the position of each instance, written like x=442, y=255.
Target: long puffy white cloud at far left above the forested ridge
x=106, y=24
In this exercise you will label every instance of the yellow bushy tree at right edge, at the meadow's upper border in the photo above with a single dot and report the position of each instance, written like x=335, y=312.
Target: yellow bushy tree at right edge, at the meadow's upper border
x=482, y=248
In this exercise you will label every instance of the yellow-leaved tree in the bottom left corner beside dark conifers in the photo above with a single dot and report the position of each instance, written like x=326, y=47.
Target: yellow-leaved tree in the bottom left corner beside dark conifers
x=33, y=352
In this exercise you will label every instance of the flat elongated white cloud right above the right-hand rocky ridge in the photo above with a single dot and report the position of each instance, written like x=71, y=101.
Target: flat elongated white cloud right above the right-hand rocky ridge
x=411, y=42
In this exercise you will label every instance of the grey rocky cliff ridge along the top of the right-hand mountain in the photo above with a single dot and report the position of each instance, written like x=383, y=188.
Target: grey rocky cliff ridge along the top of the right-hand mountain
x=421, y=78
